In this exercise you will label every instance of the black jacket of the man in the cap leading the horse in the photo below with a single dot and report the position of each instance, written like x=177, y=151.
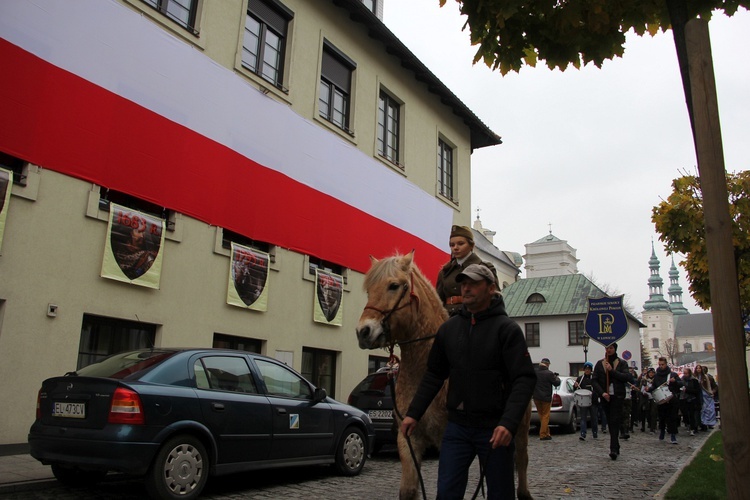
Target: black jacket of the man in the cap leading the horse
x=491, y=375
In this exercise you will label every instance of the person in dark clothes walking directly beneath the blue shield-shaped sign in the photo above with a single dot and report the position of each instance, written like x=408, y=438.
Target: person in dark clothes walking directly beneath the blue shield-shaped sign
x=611, y=375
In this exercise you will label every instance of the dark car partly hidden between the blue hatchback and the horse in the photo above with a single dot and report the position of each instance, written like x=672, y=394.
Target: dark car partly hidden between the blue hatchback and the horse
x=373, y=396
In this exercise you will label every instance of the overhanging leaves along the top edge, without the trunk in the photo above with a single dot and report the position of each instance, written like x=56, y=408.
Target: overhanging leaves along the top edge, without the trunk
x=511, y=33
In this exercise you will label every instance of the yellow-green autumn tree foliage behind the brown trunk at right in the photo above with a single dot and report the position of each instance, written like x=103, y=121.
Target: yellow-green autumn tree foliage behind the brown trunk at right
x=679, y=222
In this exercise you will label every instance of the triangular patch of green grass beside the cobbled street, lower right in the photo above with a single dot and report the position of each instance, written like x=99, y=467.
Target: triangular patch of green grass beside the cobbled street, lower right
x=704, y=477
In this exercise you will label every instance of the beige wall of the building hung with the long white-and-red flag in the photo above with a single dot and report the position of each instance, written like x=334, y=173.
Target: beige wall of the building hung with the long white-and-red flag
x=54, y=237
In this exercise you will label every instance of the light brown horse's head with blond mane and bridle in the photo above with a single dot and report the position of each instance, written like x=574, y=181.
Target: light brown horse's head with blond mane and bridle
x=401, y=303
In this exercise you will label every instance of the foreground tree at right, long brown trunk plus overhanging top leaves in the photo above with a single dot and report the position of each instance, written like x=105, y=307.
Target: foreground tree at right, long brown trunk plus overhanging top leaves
x=511, y=33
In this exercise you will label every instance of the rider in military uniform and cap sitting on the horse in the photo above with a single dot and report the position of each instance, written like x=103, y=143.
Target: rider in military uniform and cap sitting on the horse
x=462, y=255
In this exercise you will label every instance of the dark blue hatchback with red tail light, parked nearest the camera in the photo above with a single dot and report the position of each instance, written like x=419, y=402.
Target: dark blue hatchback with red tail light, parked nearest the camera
x=177, y=416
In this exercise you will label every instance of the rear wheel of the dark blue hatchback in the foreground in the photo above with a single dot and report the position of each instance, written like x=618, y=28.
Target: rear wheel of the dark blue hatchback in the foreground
x=180, y=469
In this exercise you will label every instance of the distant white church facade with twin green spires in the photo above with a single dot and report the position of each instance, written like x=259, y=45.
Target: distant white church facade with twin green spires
x=658, y=335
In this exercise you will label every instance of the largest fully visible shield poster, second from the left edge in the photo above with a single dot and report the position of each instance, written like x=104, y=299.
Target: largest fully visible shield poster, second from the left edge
x=134, y=247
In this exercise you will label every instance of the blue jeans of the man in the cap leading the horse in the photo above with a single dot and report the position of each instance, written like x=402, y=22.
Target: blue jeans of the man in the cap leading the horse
x=460, y=446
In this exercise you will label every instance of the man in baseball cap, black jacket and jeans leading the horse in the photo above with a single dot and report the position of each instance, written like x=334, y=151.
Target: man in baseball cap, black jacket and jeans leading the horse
x=492, y=379
